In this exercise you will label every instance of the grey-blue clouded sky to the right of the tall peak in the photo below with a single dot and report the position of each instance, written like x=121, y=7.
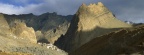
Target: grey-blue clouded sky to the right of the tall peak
x=131, y=10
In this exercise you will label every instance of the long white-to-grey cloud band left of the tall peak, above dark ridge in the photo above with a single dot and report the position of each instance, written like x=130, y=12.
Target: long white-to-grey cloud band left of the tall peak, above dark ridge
x=62, y=7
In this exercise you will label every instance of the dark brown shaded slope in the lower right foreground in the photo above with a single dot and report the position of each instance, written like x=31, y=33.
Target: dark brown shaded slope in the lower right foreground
x=121, y=42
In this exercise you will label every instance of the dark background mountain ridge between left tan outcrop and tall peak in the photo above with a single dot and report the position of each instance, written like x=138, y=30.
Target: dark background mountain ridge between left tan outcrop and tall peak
x=49, y=26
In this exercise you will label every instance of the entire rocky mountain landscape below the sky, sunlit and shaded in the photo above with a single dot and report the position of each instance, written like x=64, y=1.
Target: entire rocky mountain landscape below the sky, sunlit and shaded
x=93, y=30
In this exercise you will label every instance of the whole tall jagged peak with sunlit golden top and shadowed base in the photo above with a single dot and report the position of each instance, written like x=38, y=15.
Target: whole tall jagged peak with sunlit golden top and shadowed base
x=96, y=18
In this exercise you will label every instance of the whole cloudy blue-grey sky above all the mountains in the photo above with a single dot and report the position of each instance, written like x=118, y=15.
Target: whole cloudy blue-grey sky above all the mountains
x=125, y=10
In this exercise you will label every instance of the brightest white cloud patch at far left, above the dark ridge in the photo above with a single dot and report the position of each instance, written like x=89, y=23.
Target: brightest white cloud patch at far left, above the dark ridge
x=11, y=9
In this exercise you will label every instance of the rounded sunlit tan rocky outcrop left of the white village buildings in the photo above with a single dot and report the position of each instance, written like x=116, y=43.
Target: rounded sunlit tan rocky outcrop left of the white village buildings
x=22, y=31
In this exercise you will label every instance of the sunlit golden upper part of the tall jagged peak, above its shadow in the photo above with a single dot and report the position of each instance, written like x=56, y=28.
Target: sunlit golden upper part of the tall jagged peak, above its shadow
x=96, y=15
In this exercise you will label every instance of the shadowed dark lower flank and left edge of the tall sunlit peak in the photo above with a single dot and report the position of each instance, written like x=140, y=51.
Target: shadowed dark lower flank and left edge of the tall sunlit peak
x=73, y=39
